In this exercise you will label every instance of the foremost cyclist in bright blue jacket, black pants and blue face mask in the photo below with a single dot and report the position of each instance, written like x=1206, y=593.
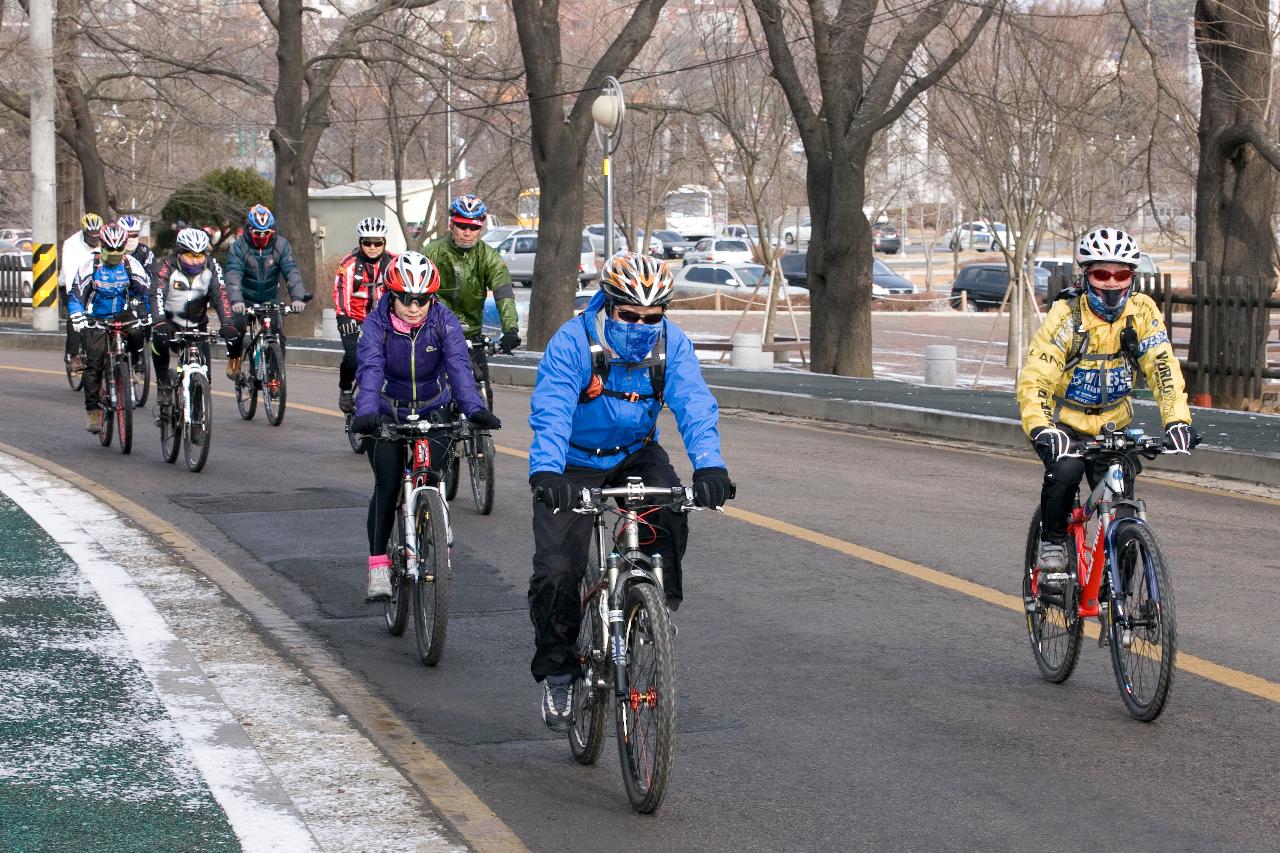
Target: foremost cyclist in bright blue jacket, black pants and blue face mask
x=601, y=386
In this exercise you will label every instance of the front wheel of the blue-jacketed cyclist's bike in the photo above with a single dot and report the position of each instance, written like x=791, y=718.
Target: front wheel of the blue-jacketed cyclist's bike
x=647, y=714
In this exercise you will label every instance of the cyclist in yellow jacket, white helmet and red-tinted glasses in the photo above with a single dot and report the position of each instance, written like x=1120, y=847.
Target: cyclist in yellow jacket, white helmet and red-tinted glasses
x=1080, y=375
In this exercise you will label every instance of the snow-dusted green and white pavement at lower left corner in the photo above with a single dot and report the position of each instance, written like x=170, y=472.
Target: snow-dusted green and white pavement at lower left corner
x=143, y=710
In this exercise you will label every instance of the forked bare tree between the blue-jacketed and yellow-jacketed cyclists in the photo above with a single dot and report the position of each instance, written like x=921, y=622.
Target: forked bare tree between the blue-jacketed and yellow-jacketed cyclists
x=868, y=67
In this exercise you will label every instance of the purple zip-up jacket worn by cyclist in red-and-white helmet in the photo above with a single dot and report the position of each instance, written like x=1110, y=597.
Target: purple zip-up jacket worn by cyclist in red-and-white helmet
x=420, y=372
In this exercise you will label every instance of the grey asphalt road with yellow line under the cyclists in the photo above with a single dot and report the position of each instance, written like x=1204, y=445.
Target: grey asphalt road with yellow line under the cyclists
x=834, y=692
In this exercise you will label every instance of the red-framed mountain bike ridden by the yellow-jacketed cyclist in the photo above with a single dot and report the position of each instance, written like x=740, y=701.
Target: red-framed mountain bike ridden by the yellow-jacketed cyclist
x=1117, y=573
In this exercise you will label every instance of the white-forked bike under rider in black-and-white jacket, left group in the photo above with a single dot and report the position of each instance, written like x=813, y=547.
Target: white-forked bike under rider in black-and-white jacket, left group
x=188, y=421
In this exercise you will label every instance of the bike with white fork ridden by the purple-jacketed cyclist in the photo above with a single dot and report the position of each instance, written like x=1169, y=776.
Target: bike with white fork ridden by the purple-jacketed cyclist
x=420, y=544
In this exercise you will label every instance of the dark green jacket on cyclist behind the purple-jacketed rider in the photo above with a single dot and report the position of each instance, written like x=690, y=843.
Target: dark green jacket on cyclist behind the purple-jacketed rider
x=465, y=280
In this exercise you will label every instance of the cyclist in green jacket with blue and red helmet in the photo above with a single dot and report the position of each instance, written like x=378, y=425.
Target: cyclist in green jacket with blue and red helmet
x=469, y=270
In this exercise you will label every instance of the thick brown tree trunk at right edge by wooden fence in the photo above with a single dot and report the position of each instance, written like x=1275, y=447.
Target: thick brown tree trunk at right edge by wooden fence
x=1235, y=190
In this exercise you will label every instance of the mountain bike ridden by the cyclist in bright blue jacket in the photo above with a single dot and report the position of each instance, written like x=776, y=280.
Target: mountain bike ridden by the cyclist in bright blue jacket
x=625, y=641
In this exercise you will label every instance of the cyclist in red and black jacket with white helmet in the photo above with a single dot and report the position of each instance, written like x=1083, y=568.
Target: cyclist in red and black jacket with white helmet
x=356, y=289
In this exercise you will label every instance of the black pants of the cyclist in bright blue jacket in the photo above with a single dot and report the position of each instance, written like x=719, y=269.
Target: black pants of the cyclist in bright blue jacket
x=561, y=545
